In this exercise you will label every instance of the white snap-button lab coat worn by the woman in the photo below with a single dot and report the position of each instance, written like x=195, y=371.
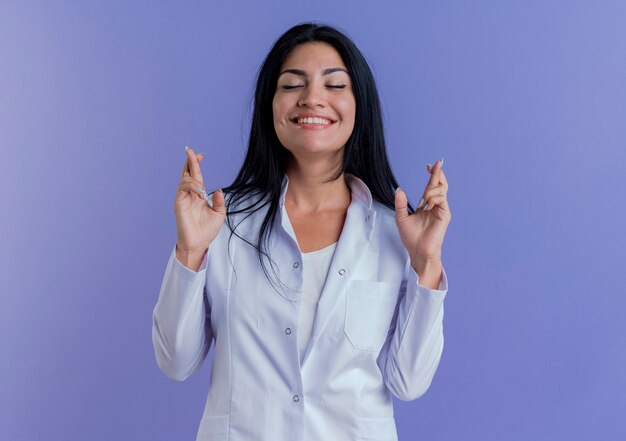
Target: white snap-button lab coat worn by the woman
x=376, y=333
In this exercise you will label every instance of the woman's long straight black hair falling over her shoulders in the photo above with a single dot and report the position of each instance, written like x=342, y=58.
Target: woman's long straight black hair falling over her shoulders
x=258, y=183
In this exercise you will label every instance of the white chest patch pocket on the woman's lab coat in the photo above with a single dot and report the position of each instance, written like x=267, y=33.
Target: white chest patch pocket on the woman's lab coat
x=369, y=310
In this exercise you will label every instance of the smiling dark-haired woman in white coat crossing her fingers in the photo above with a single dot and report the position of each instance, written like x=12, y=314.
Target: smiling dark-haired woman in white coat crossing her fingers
x=318, y=285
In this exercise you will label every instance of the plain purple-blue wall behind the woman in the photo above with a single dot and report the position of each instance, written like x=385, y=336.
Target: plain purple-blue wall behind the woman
x=526, y=101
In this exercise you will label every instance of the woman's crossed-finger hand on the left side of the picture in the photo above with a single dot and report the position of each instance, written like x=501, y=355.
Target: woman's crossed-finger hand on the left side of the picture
x=197, y=222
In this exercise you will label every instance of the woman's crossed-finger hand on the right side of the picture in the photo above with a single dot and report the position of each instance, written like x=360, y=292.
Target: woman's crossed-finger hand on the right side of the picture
x=422, y=232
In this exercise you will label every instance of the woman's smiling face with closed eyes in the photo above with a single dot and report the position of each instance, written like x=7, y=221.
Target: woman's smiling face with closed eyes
x=314, y=107
